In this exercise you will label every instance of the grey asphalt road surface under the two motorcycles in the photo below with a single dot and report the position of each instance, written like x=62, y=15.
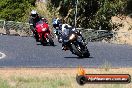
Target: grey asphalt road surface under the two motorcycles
x=25, y=52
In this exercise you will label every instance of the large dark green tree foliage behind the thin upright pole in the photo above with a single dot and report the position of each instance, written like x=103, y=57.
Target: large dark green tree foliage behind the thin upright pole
x=91, y=13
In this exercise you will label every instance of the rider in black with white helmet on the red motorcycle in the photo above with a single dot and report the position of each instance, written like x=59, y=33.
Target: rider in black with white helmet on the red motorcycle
x=34, y=18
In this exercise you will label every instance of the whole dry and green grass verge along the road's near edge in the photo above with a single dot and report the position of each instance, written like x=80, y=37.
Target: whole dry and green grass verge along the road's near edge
x=54, y=77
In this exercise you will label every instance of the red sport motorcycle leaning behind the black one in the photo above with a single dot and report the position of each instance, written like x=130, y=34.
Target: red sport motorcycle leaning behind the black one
x=44, y=33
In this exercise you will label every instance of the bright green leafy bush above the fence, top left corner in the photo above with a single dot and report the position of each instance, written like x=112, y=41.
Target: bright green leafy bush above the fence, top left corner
x=15, y=10
